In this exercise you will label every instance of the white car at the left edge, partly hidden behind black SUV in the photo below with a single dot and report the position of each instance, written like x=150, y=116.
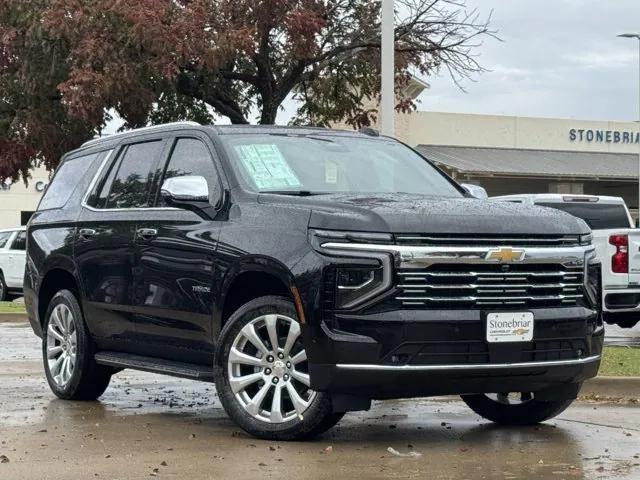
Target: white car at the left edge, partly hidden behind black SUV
x=13, y=244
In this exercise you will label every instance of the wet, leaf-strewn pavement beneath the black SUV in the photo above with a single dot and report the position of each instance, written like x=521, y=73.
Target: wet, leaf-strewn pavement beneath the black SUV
x=151, y=426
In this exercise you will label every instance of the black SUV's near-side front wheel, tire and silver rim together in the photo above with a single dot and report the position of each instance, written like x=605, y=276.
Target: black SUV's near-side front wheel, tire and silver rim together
x=314, y=412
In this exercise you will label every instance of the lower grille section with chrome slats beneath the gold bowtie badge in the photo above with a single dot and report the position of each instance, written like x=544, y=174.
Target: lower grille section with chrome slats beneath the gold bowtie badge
x=488, y=285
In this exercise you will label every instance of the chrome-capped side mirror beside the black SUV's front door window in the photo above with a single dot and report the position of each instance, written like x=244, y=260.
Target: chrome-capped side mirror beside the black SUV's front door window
x=189, y=192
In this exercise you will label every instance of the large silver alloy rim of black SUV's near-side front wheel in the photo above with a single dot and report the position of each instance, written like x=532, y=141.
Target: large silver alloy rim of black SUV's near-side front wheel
x=268, y=369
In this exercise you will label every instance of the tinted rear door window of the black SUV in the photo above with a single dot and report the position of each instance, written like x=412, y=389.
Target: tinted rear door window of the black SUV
x=135, y=176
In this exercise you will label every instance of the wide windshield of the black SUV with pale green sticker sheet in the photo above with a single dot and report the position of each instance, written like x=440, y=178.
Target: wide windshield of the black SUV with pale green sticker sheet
x=320, y=163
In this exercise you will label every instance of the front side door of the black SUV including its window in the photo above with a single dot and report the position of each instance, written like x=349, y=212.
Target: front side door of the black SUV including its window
x=175, y=265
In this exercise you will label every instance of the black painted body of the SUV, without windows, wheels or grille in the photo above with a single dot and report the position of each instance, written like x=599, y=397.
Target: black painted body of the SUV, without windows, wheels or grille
x=158, y=282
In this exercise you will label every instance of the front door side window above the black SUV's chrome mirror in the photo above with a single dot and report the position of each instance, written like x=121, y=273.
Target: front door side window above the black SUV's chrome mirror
x=191, y=157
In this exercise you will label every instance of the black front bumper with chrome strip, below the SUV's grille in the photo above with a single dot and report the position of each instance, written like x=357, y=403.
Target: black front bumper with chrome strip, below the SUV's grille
x=411, y=353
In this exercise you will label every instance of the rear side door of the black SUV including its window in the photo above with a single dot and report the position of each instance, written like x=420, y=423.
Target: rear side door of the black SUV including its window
x=104, y=245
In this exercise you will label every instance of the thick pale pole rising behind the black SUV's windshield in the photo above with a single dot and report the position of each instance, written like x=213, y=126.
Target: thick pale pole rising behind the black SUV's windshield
x=388, y=100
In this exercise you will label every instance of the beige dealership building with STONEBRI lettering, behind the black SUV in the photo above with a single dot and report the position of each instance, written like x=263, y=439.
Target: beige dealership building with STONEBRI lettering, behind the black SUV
x=504, y=154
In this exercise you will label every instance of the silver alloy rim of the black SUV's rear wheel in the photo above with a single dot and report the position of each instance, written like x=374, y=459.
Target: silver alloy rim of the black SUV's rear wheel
x=62, y=345
